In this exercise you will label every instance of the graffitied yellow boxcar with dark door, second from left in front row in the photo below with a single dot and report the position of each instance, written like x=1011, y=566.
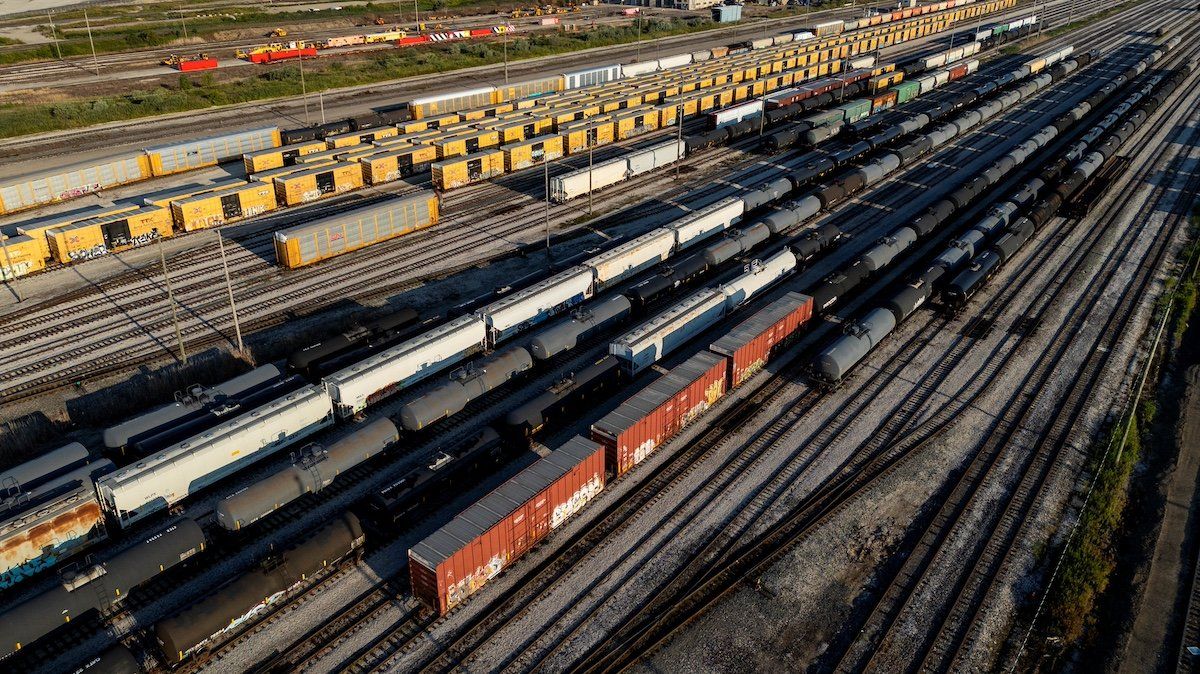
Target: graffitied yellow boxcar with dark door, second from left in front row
x=100, y=237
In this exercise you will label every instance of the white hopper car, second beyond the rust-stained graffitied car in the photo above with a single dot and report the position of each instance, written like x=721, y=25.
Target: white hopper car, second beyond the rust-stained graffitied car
x=367, y=382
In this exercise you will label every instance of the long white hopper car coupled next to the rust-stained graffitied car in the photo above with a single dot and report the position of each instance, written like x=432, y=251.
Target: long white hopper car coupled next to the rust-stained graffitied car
x=170, y=477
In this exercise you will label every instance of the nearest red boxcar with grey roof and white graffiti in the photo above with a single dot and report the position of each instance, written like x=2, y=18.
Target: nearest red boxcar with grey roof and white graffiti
x=459, y=559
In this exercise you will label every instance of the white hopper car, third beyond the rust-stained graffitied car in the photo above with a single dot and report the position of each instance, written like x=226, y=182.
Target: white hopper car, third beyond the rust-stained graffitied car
x=536, y=304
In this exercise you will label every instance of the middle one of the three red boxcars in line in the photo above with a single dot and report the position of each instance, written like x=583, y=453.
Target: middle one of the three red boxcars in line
x=656, y=414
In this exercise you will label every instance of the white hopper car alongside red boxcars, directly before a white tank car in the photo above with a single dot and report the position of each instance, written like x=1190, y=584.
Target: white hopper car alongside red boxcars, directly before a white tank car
x=644, y=346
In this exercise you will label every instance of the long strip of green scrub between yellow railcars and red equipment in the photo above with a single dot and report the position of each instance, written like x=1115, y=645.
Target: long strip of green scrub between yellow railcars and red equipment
x=191, y=95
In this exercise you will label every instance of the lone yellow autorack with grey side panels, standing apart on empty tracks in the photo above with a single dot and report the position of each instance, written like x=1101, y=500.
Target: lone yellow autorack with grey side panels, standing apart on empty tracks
x=351, y=231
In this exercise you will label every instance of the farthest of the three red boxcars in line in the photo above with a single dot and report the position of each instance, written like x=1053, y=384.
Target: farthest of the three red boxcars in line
x=752, y=345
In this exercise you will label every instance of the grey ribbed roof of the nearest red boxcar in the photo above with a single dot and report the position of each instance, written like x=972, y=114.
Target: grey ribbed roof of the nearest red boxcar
x=493, y=509
